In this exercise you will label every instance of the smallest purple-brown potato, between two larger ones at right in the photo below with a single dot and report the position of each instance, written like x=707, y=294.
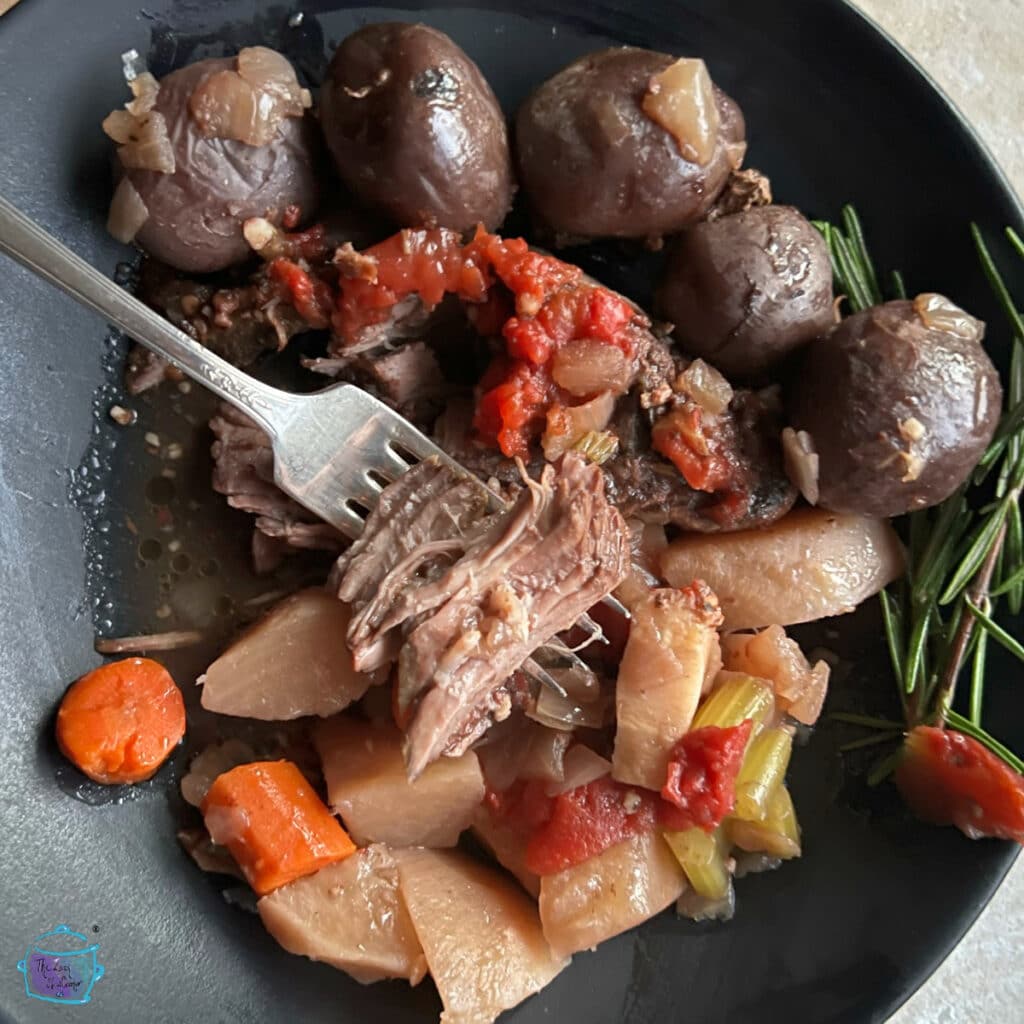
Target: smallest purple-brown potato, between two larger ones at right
x=747, y=290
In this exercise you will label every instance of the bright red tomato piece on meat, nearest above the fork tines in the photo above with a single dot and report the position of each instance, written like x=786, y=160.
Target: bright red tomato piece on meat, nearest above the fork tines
x=511, y=415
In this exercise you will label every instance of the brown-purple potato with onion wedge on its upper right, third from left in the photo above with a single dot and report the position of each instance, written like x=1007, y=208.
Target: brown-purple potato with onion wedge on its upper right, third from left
x=594, y=165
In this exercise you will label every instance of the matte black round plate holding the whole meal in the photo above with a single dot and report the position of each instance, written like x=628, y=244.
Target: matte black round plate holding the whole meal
x=835, y=114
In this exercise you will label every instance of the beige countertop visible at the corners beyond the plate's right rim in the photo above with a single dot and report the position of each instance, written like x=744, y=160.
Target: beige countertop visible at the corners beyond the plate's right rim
x=975, y=51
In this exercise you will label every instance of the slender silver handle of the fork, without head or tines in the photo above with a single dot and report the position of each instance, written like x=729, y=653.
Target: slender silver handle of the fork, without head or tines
x=26, y=242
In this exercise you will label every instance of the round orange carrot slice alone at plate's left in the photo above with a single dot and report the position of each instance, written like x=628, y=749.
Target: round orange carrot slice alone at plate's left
x=120, y=722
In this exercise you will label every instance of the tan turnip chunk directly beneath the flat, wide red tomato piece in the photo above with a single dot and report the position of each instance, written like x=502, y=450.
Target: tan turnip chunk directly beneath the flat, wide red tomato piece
x=610, y=894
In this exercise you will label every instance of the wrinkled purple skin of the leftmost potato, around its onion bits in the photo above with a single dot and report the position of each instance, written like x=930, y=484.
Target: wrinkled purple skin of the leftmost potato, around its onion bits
x=196, y=215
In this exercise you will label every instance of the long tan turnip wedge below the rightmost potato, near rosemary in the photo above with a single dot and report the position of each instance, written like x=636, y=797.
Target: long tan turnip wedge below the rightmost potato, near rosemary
x=809, y=566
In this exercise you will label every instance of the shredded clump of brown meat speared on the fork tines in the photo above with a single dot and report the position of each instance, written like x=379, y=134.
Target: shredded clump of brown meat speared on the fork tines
x=464, y=608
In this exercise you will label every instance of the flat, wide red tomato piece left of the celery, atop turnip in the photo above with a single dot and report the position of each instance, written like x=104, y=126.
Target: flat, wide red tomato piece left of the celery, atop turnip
x=587, y=822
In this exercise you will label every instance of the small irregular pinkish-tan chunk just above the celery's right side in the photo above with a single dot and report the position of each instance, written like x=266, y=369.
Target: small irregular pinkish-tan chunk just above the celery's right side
x=800, y=690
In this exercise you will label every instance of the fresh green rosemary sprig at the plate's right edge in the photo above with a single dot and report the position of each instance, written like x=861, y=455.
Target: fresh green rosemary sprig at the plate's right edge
x=964, y=556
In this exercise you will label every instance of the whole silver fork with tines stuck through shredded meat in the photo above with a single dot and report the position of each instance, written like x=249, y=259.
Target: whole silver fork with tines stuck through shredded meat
x=334, y=451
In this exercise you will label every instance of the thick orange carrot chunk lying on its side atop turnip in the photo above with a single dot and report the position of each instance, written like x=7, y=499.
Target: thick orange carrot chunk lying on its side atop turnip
x=276, y=827
